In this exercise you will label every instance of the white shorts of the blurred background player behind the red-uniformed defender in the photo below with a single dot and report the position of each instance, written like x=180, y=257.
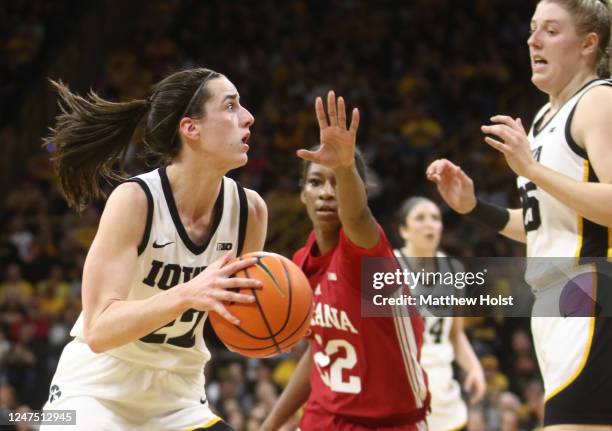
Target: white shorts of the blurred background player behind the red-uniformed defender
x=448, y=410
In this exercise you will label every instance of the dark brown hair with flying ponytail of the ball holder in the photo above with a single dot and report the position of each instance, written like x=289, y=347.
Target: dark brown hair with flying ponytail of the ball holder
x=91, y=134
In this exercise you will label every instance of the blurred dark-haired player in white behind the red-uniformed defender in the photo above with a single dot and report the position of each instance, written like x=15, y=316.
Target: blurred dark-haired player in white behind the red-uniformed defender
x=444, y=339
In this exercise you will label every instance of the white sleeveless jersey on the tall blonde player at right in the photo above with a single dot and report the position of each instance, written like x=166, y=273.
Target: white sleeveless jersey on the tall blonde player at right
x=554, y=229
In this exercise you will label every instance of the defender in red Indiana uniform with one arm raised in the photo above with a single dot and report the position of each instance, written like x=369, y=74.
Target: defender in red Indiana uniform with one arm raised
x=358, y=373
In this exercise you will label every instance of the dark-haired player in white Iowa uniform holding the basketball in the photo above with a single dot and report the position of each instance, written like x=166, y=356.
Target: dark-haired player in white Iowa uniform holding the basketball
x=160, y=259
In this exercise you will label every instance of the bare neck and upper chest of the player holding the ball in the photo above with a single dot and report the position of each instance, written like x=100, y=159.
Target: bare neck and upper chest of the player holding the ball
x=195, y=189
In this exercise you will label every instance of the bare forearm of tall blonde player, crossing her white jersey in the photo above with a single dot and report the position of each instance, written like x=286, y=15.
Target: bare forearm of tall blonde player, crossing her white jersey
x=587, y=199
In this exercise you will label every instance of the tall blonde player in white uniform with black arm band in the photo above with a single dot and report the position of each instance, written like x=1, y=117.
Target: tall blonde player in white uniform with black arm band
x=564, y=168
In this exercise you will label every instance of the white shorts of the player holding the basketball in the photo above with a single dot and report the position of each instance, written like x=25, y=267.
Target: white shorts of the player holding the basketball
x=111, y=394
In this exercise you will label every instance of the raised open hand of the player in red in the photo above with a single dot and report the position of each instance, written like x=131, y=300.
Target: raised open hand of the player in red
x=337, y=142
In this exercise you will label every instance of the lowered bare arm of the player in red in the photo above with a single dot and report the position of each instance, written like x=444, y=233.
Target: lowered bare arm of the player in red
x=293, y=397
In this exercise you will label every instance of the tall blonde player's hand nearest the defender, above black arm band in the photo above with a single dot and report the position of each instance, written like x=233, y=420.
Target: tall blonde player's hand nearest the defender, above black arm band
x=455, y=187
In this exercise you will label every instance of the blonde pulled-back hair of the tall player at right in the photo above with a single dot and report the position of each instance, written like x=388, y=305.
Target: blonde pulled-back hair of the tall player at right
x=592, y=16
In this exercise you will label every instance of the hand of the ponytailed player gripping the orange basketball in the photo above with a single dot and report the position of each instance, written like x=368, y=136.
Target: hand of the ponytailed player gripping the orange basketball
x=209, y=289
